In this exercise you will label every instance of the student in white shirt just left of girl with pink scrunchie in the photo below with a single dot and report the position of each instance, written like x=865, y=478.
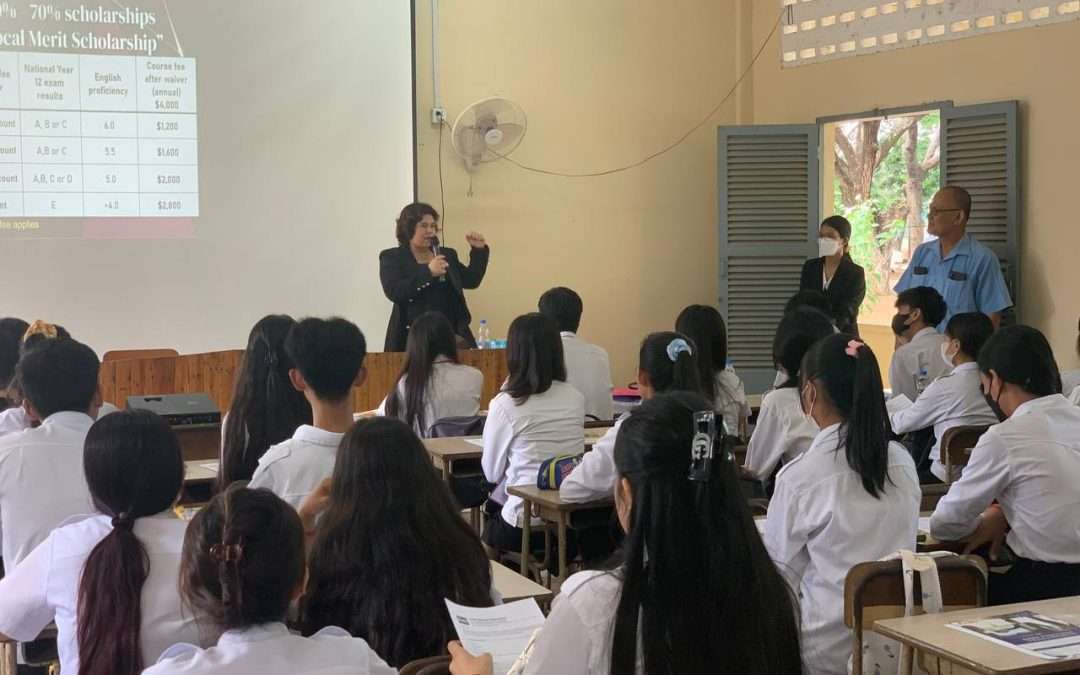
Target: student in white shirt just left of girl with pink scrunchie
x=784, y=433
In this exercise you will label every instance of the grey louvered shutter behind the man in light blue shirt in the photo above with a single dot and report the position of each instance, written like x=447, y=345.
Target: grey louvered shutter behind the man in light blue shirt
x=980, y=153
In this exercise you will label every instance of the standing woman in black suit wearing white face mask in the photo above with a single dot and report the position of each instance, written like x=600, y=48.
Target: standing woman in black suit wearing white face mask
x=836, y=275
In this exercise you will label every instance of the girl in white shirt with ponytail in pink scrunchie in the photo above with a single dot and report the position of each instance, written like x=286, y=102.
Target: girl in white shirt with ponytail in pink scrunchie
x=852, y=497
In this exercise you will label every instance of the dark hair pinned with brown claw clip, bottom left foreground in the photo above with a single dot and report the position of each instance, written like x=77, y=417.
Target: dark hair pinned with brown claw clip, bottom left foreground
x=244, y=559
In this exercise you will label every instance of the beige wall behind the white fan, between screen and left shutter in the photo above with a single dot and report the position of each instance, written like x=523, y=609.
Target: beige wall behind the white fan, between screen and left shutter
x=604, y=83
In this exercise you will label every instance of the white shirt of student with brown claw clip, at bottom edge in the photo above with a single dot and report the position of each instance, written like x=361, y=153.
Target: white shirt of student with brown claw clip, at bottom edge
x=271, y=650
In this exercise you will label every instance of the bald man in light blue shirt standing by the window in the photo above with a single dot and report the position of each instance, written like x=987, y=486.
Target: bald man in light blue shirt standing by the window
x=967, y=274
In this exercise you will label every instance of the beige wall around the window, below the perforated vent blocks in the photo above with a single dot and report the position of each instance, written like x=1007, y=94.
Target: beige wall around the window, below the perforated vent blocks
x=1035, y=66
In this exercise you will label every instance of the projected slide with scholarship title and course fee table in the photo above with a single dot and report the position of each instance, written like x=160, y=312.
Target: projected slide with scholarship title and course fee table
x=94, y=121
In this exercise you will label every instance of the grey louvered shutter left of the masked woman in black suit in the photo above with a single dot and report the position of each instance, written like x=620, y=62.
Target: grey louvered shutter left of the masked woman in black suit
x=768, y=220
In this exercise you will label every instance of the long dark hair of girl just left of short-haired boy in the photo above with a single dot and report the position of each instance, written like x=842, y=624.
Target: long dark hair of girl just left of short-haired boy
x=266, y=409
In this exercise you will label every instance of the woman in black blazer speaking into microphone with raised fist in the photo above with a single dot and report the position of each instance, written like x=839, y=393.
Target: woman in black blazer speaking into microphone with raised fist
x=420, y=276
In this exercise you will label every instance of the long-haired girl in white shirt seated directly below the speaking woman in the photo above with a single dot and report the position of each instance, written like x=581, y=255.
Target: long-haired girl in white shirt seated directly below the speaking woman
x=434, y=384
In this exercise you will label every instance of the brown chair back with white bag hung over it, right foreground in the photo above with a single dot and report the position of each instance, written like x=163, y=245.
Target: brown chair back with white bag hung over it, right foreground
x=874, y=591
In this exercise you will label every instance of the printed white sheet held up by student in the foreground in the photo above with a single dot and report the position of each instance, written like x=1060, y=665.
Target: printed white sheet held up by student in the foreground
x=503, y=631
